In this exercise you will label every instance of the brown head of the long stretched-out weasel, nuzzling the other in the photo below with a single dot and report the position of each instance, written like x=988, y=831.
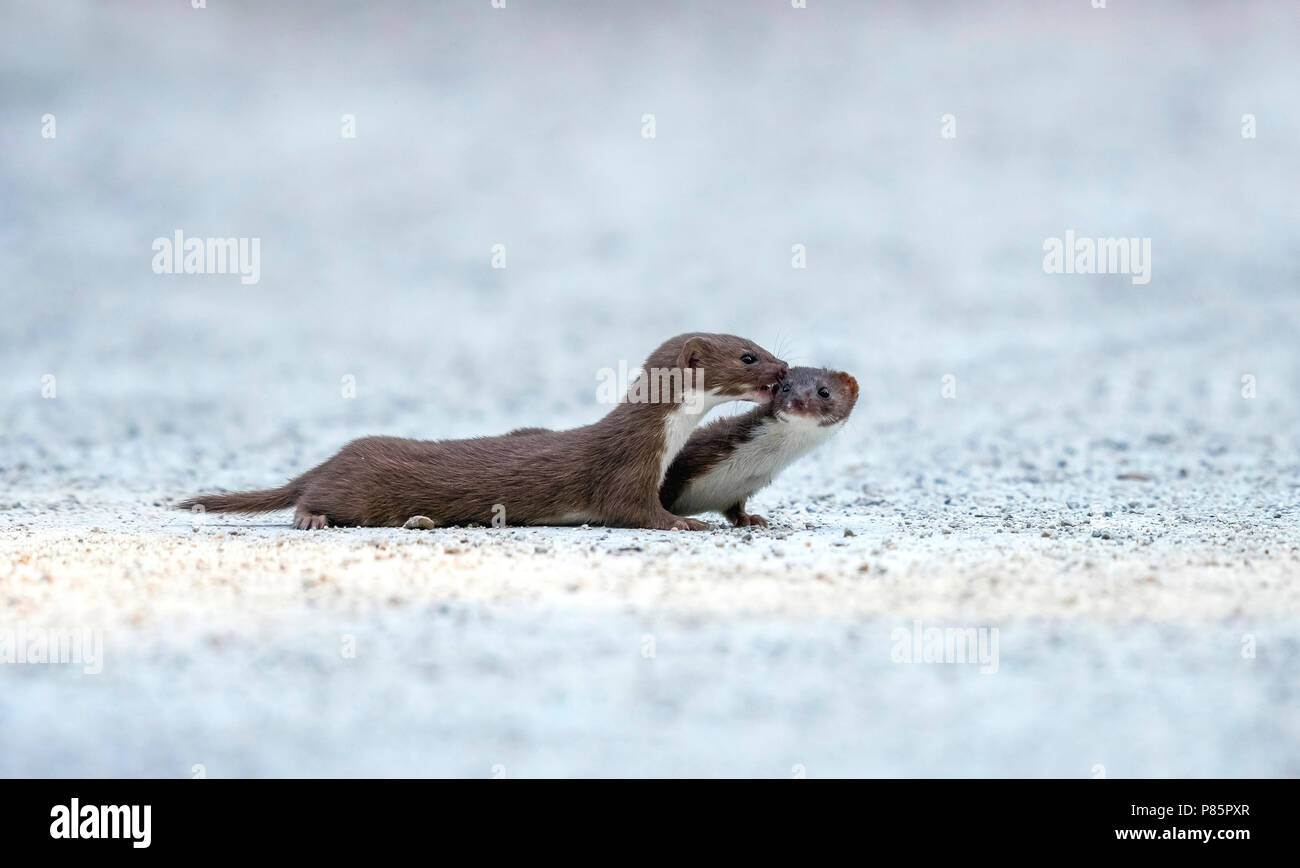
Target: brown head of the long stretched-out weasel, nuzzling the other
x=722, y=366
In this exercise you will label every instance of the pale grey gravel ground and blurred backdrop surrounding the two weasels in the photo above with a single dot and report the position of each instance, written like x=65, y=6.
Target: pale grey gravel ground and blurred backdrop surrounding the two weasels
x=1099, y=491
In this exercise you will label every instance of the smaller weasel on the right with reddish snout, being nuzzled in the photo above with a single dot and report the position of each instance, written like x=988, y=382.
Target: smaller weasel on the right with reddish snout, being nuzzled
x=727, y=462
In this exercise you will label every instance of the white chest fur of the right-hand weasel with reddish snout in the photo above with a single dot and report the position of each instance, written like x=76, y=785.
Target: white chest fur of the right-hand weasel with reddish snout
x=755, y=465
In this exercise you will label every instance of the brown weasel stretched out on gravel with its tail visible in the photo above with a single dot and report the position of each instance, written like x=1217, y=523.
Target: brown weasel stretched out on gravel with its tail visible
x=608, y=472
